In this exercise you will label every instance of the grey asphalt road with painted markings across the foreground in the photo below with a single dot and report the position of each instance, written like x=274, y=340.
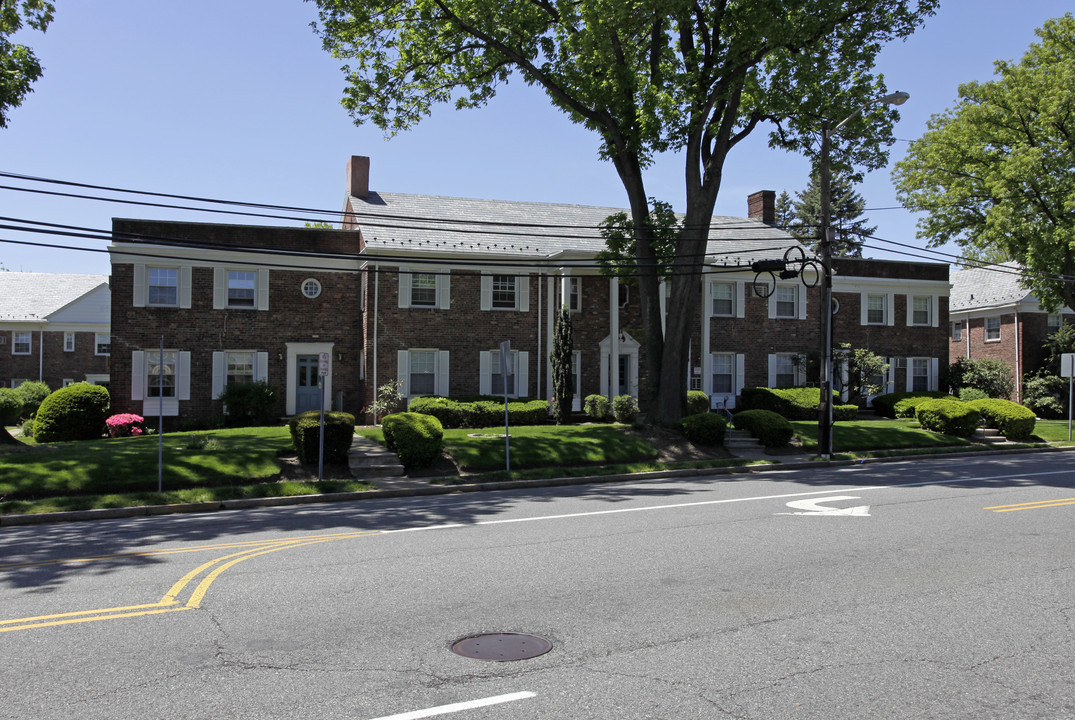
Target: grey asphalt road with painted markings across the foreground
x=926, y=589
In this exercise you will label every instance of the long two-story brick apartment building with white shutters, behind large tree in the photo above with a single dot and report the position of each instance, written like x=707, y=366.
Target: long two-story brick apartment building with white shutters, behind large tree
x=424, y=290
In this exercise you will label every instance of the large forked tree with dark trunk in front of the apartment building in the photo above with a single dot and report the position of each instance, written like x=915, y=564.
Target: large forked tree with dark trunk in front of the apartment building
x=648, y=77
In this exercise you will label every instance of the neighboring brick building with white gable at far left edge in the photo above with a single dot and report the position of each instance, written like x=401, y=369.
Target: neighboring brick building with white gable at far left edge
x=54, y=328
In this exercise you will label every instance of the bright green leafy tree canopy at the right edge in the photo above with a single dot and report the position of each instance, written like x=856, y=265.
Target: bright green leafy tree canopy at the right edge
x=997, y=174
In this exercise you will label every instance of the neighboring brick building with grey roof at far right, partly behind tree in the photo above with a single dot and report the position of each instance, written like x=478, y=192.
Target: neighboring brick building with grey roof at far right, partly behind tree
x=995, y=316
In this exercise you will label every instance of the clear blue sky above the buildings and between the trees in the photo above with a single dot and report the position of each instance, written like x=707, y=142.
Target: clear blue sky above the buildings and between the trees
x=237, y=100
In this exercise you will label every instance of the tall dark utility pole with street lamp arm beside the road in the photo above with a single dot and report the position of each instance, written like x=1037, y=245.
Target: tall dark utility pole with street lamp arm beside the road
x=825, y=407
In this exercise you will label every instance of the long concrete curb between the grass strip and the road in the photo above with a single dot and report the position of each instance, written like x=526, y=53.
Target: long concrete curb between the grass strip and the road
x=251, y=503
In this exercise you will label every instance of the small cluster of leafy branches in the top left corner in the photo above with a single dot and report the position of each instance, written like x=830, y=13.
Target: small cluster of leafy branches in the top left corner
x=19, y=66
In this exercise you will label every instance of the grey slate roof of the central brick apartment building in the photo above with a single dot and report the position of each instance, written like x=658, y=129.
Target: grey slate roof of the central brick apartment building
x=528, y=231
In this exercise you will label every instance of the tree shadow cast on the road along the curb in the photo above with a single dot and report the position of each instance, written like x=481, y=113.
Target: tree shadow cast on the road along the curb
x=39, y=558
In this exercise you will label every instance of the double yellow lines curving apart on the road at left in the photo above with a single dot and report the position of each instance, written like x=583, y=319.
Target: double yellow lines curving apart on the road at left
x=173, y=601
